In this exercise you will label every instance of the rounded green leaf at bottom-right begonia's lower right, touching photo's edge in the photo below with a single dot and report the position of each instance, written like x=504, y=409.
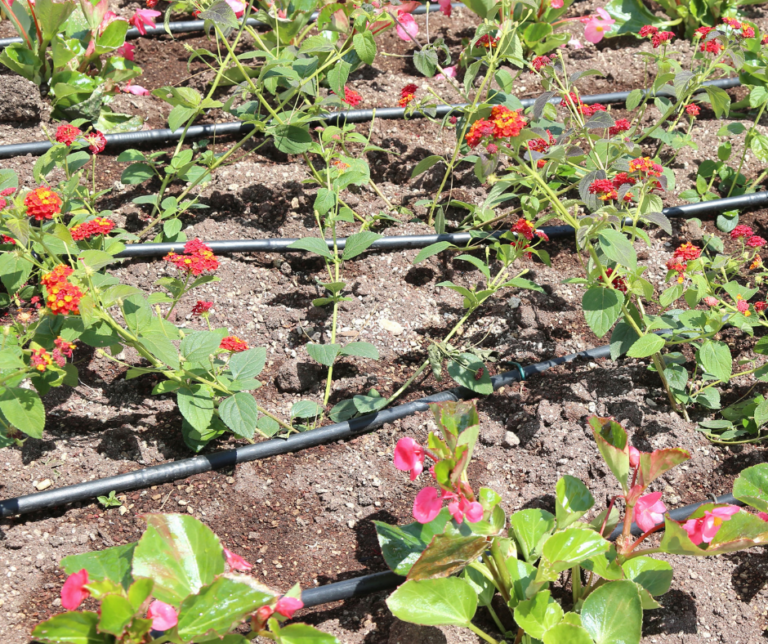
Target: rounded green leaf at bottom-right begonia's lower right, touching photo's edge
x=612, y=614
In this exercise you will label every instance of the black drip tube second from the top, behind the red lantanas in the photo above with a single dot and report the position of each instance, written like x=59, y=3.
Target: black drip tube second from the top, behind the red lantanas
x=126, y=139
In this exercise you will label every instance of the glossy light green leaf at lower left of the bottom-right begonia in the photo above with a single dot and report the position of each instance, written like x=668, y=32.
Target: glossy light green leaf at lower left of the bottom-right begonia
x=434, y=602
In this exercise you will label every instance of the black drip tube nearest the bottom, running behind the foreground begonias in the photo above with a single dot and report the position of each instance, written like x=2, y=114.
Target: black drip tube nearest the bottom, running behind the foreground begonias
x=380, y=581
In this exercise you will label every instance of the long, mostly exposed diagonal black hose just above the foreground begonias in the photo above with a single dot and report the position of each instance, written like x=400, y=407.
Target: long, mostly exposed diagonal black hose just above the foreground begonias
x=167, y=472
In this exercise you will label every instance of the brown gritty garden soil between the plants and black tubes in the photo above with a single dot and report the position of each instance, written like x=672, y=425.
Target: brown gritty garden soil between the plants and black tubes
x=308, y=517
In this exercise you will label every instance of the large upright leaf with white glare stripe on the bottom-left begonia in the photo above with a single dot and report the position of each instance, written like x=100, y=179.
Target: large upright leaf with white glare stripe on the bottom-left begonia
x=180, y=554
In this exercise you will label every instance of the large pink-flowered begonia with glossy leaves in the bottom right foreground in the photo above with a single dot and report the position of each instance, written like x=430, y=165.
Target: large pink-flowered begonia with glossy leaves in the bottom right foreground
x=580, y=574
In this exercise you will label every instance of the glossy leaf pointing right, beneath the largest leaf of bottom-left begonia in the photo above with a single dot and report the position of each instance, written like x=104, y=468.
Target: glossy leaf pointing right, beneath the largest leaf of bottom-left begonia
x=220, y=606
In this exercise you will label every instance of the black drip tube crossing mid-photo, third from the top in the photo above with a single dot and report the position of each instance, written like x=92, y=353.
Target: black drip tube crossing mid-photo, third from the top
x=404, y=242
